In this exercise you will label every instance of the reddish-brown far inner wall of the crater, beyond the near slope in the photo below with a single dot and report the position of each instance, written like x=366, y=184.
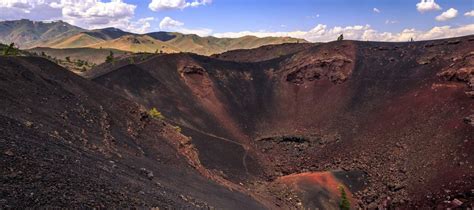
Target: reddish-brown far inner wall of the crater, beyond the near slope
x=399, y=112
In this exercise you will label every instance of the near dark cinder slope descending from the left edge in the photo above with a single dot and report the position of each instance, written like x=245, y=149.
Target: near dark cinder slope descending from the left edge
x=67, y=142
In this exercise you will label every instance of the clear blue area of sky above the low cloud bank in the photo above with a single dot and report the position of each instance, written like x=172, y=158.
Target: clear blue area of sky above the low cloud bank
x=272, y=15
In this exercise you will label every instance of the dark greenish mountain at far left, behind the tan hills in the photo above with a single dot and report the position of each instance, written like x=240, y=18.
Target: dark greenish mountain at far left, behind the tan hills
x=26, y=33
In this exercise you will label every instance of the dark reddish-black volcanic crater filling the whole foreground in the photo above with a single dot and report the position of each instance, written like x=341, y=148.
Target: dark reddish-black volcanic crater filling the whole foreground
x=390, y=122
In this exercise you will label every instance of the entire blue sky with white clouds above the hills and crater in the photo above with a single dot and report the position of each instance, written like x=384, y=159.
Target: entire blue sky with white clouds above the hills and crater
x=313, y=20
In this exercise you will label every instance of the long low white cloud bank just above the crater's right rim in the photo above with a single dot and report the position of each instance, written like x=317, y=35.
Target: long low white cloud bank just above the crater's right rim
x=322, y=33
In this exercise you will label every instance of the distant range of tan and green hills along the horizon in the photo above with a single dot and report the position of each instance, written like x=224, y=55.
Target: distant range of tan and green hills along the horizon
x=61, y=35
